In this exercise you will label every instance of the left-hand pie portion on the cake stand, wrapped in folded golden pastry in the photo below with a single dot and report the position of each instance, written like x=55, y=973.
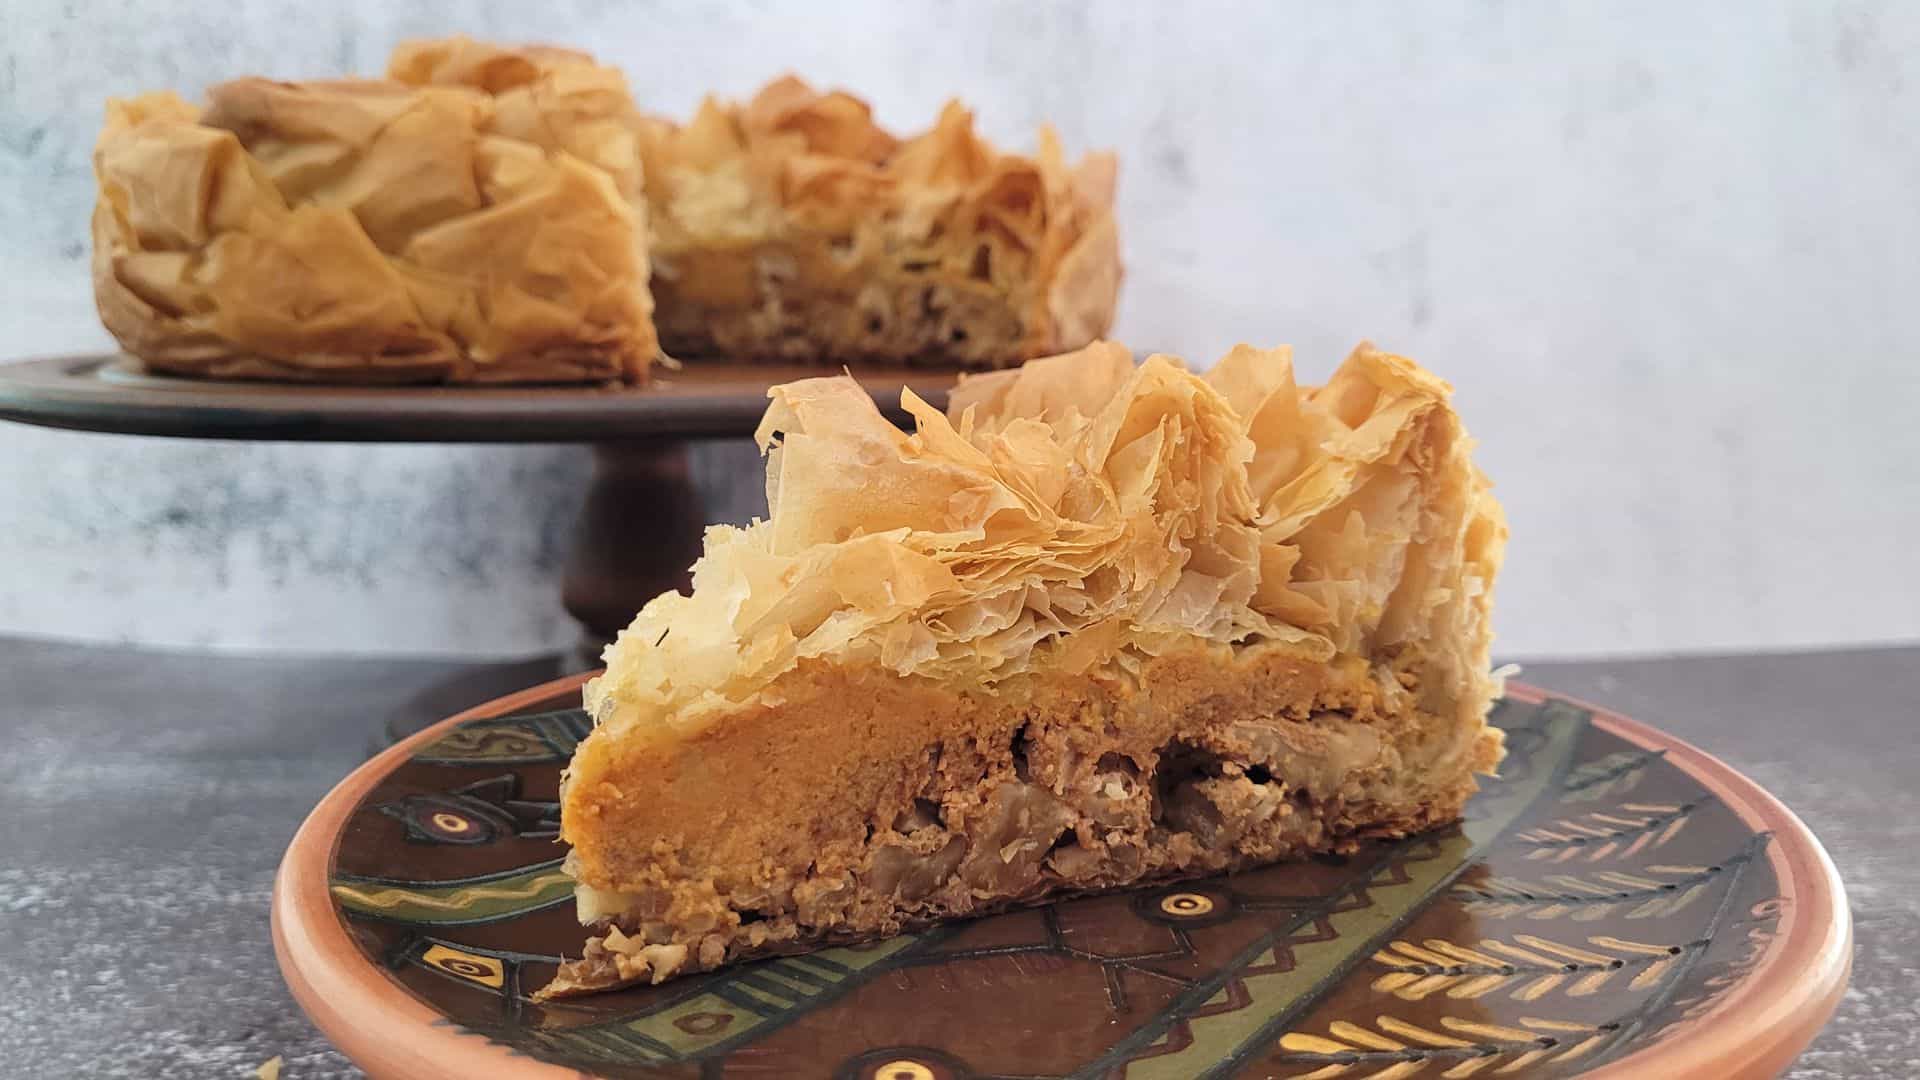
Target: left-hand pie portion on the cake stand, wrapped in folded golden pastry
x=364, y=232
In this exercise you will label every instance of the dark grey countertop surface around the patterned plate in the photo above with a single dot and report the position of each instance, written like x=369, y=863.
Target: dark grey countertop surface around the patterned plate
x=145, y=802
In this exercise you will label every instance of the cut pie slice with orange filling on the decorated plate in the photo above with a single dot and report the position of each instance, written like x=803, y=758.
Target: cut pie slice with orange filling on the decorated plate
x=1093, y=626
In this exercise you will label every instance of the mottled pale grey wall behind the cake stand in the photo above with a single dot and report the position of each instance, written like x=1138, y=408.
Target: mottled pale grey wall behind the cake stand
x=1668, y=253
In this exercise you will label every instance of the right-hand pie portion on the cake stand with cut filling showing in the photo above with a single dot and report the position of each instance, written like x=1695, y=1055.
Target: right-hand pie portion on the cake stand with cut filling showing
x=794, y=228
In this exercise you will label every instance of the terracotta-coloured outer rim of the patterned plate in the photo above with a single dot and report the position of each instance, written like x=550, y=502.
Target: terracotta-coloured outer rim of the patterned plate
x=1754, y=1031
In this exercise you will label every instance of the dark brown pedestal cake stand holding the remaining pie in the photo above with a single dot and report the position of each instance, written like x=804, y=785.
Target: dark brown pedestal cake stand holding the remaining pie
x=642, y=522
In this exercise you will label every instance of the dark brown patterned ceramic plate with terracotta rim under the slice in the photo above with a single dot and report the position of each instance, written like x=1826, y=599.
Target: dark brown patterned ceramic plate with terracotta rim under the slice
x=1616, y=904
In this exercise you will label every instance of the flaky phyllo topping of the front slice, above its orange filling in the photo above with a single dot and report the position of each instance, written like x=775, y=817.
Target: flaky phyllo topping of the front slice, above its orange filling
x=1080, y=512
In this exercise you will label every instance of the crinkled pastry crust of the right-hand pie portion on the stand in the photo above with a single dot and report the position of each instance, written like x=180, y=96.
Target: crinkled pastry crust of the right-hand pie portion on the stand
x=798, y=166
